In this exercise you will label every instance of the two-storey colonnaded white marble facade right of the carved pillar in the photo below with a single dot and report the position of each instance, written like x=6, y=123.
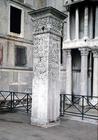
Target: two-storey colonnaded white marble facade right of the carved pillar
x=80, y=48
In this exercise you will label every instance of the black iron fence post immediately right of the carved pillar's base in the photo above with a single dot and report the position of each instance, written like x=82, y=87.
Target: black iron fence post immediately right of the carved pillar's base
x=62, y=104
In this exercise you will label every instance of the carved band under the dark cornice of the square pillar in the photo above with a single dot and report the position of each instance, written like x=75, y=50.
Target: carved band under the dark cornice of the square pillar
x=47, y=24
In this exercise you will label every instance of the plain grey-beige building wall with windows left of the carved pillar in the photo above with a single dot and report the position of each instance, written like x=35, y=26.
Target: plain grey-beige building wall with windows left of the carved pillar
x=15, y=45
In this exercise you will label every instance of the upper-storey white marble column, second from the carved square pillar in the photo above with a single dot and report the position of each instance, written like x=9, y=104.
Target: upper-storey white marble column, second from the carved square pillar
x=77, y=24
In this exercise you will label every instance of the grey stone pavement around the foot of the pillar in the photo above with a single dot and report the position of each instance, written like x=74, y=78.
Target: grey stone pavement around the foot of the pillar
x=15, y=126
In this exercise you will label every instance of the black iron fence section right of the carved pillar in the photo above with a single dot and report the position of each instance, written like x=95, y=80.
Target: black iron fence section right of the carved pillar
x=78, y=105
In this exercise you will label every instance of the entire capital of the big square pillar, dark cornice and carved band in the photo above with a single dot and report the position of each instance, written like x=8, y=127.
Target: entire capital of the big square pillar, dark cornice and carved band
x=47, y=19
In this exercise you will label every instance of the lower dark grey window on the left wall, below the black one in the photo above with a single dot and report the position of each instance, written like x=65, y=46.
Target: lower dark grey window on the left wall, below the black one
x=20, y=56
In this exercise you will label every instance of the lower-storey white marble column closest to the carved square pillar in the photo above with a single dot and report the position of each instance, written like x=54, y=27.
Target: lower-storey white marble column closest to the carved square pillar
x=69, y=73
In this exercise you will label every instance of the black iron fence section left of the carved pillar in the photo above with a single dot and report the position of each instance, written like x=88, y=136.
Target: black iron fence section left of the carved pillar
x=15, y=100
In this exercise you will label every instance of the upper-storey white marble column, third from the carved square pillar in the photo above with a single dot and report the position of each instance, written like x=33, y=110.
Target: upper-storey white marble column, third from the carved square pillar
x=86, y=22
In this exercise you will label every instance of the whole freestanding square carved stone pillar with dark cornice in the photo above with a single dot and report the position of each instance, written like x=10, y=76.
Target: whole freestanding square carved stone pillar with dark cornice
x=47, y=29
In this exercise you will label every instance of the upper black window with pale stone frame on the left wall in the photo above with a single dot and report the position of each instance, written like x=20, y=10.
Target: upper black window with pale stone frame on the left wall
x=16, y=21
